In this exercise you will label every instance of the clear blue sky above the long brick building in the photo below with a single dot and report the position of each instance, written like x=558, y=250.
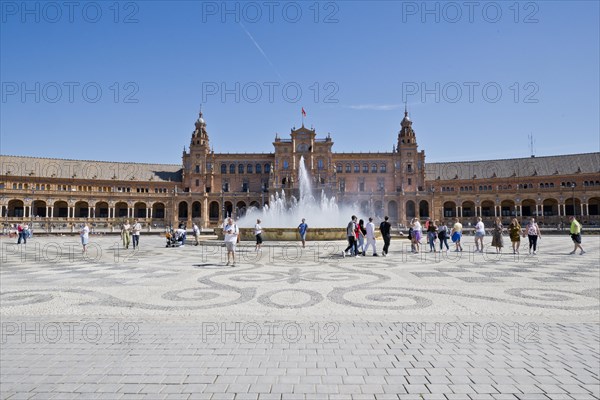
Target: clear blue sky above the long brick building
x=370, y=57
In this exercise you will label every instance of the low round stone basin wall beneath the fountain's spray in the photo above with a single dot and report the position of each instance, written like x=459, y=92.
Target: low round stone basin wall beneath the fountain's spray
x=291, y=234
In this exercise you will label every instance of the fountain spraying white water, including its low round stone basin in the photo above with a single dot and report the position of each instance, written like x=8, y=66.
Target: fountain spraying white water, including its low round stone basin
x=326, y=219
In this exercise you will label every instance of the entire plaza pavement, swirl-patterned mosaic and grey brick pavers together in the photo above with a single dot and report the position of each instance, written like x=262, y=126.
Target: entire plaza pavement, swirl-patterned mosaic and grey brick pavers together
x=292, y=323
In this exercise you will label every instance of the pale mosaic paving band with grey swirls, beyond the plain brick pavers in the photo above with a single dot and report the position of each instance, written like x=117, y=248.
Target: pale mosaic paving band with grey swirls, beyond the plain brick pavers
x=366, y=283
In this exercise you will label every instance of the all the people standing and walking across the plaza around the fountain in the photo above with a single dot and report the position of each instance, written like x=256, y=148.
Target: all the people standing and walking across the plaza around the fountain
x=361, y=235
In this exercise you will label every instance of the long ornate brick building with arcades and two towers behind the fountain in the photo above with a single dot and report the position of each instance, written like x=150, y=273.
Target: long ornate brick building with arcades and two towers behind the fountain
x=207, y=186
